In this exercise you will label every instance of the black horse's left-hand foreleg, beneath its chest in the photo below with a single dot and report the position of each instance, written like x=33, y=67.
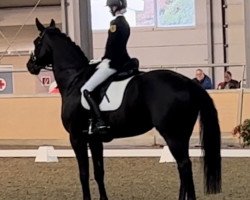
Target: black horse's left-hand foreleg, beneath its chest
x=81, y=152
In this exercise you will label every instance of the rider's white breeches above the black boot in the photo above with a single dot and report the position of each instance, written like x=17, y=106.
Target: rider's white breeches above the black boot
x=102, y=73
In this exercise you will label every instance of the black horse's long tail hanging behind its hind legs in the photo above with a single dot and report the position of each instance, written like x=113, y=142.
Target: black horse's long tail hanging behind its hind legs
x=211, y=143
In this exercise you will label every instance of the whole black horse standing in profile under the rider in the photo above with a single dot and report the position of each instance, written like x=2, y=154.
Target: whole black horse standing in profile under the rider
x=163, y=99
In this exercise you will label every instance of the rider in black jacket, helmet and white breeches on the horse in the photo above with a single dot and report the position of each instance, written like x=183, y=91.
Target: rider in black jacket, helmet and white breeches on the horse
x=115, y=57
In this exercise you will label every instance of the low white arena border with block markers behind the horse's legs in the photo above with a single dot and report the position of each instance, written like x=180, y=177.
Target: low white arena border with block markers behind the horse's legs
x=49, y=154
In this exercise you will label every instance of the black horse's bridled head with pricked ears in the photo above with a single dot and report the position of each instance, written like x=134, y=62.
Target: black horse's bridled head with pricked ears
x=42, y=56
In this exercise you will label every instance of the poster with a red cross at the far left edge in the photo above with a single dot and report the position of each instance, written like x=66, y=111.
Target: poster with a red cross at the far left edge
x=6, y=79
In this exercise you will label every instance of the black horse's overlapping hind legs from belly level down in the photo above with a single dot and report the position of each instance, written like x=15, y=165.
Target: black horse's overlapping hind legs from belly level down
x=179, y=149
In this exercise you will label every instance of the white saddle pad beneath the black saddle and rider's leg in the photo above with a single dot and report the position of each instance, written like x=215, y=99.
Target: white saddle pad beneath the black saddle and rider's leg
x=113, y=98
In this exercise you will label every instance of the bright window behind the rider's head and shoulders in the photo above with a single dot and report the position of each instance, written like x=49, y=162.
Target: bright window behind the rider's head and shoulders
x=143, y=13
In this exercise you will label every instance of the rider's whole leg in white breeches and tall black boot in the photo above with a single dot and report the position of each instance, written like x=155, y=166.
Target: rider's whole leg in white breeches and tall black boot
x=98, y=77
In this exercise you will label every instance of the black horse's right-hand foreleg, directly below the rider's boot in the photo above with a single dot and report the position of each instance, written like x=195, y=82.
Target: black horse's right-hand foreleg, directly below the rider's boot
x=96, y=149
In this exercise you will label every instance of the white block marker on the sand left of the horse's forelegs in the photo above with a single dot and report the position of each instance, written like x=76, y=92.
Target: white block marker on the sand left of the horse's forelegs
x=46, y=154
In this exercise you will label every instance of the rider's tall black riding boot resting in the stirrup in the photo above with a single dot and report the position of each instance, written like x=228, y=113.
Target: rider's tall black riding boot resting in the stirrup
x=100, y=126
